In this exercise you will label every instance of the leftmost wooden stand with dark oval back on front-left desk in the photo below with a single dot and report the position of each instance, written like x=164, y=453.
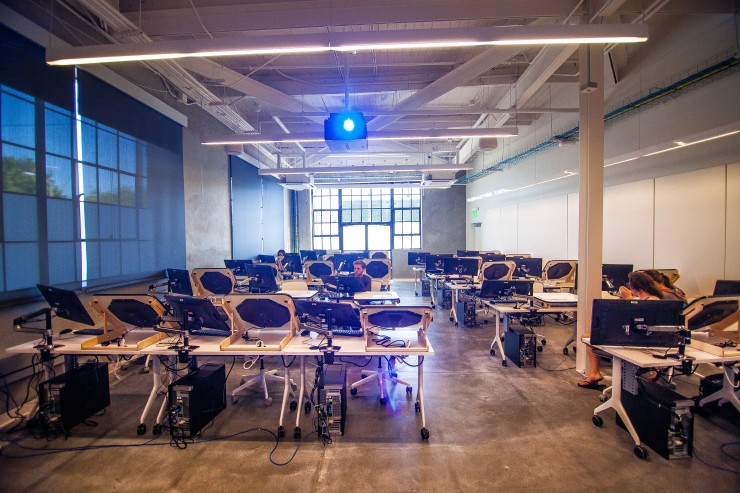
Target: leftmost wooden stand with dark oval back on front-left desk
x=124, y=313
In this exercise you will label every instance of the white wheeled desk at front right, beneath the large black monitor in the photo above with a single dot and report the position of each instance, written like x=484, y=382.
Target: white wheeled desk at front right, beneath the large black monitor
x=642, y=359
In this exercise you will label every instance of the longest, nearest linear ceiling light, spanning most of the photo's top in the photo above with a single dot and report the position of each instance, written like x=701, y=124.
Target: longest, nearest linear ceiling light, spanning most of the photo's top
x=351, y=41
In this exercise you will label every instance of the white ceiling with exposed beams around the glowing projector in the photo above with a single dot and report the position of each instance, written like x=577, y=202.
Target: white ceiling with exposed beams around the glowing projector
x=452, y=88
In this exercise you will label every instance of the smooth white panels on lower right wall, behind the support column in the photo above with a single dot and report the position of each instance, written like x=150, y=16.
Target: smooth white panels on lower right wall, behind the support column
x=687, y=221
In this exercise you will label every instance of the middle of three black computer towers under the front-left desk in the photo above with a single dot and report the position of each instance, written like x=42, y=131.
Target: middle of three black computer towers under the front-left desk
x=195, y=399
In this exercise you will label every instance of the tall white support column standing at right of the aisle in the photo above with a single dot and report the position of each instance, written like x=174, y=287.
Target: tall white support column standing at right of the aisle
x=591, y=189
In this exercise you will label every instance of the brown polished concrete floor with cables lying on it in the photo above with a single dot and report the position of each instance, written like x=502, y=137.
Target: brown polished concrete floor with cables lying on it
x=492, y=428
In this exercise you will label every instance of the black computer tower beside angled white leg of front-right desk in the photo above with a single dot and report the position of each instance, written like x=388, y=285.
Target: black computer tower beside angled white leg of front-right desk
x=663, y=419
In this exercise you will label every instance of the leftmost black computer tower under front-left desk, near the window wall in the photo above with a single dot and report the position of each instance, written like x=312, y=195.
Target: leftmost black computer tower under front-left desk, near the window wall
x=71, y=398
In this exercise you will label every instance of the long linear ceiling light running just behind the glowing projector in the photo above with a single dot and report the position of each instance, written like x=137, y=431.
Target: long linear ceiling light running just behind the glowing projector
x=434, y=133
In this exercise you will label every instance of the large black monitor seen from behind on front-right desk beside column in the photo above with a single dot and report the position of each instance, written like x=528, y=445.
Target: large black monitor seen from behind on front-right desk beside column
x=629, y=322
